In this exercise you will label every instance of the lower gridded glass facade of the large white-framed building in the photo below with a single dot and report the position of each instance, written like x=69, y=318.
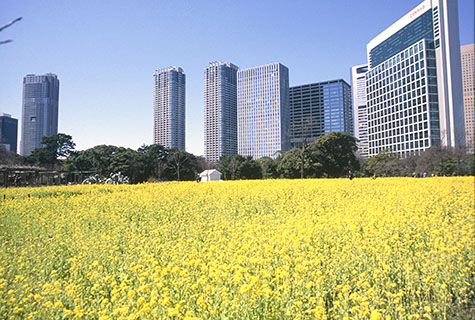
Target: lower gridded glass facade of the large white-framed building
x=403, y=109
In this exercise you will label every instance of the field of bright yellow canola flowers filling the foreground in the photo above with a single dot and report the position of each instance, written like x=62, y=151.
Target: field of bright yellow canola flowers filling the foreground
x=395, y=248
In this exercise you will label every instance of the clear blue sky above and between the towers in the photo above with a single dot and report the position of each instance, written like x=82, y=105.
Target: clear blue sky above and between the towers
x=105, y=52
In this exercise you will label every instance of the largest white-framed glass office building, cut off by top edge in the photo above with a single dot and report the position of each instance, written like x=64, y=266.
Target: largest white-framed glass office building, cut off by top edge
x=414, y=82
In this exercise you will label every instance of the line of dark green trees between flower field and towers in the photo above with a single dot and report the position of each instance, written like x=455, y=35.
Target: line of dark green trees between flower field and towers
x=330, y=156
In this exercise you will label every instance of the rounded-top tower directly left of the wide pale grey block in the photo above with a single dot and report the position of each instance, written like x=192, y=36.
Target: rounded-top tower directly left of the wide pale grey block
x=220, y=110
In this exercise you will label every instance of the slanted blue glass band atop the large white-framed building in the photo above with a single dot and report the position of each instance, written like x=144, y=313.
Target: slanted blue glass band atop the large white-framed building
x=420, y=28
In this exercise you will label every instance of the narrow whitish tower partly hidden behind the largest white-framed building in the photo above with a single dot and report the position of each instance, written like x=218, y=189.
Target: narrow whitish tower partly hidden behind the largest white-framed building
x=360, y=113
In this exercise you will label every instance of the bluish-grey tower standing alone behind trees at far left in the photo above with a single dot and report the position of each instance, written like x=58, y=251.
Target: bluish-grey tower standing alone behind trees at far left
x=40, y=110
